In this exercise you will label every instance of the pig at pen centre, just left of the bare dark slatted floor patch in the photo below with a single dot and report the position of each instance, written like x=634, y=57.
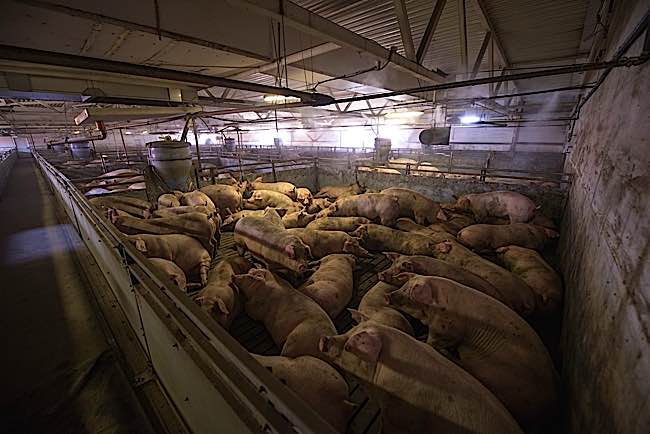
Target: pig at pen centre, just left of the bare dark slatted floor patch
x=332, y=285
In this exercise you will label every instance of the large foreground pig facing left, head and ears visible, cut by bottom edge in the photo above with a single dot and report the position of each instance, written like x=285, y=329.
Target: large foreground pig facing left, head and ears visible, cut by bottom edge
x=417, y=389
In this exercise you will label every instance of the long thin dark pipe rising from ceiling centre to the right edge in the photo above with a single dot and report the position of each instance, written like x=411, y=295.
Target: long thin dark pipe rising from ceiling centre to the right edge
x=511, y=77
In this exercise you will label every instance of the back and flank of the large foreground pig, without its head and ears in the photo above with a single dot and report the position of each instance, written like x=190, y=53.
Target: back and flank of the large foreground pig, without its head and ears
x=447, y=398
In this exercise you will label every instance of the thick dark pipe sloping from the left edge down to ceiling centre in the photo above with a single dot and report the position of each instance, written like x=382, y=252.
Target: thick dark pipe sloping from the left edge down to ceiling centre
x=91, y=63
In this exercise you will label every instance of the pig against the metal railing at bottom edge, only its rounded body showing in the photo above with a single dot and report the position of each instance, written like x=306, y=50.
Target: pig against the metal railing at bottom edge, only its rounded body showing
x=315, y=382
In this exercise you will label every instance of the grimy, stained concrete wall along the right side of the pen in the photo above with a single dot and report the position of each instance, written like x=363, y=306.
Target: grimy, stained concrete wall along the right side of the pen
x=605, y=248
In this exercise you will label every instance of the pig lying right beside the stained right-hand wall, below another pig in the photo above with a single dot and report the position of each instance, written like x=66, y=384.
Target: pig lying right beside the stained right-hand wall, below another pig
x=538, y=275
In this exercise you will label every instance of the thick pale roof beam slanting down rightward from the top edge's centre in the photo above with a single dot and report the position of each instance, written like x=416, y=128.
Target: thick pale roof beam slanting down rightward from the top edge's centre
x=307, y=22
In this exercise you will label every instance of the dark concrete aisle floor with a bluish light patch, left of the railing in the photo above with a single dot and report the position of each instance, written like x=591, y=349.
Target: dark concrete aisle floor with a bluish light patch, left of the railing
x=58, y=372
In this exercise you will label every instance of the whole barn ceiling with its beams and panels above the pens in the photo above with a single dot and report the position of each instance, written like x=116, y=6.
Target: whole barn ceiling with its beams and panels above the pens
x=340, y=48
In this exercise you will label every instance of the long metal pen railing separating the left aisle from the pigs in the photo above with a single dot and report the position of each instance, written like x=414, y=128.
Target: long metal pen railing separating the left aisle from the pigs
x=193, y=358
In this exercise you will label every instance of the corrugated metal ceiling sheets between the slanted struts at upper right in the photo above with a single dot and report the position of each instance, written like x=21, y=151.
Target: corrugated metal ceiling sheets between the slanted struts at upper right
x=530, y=30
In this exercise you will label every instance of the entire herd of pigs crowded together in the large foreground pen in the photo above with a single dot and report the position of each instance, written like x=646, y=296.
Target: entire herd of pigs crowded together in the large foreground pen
x=470, y=271
